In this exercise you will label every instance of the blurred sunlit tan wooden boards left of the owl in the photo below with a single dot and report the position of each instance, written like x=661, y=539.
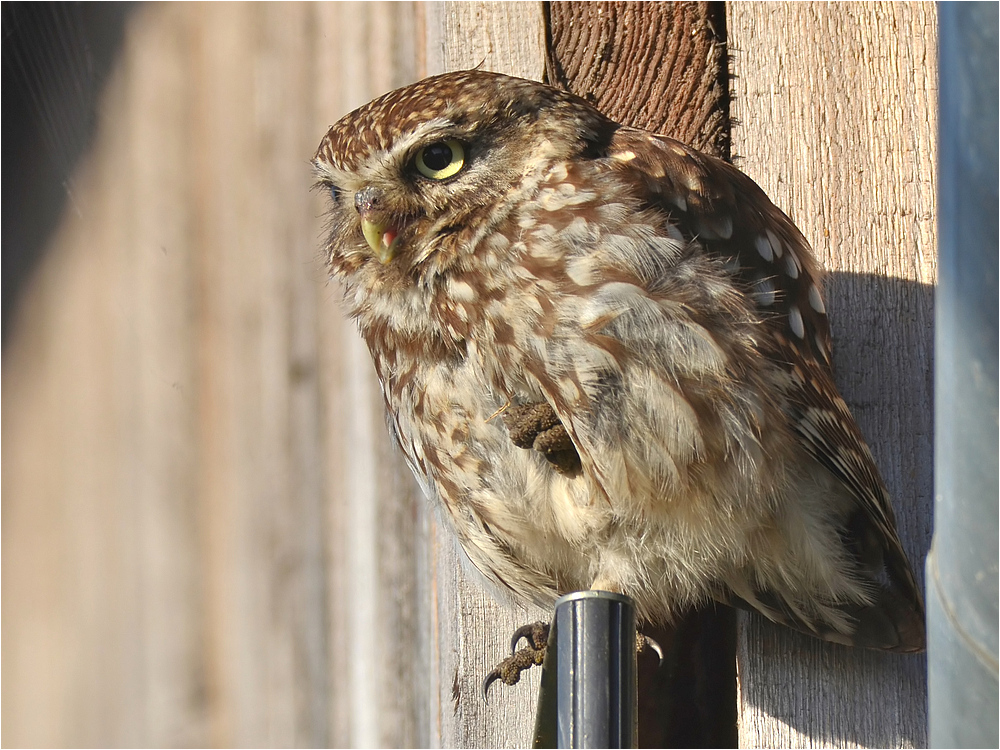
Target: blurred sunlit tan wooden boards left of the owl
x=208, y=539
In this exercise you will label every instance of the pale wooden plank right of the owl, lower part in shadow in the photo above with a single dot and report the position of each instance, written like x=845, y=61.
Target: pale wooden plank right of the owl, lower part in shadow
x=836, y=112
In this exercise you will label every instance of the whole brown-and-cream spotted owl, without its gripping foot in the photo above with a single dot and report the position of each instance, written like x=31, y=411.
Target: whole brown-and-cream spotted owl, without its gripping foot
x=606, y=357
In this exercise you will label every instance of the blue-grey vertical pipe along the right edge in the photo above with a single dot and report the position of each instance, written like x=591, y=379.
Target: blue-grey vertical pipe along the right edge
x=962, y=566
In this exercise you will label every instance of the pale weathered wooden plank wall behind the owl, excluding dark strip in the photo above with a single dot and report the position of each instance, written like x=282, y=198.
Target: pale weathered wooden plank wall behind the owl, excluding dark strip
x=207, y=537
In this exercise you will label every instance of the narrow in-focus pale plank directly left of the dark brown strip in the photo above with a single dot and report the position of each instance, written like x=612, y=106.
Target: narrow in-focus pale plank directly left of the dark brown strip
x=472, y=625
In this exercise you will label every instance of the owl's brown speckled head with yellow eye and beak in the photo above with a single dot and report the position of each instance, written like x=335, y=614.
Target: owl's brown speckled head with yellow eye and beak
x=416, y=175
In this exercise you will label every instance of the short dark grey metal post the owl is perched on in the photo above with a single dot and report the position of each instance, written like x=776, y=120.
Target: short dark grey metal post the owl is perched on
x=588, y=696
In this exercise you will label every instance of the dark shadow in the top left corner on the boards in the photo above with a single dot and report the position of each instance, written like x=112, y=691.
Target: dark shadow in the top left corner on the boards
x=56, y=58
